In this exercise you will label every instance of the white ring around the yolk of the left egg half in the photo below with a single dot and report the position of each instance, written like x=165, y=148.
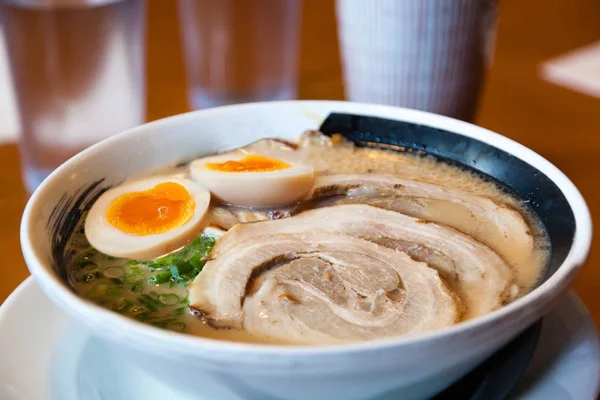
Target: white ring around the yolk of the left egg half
x=109, y=240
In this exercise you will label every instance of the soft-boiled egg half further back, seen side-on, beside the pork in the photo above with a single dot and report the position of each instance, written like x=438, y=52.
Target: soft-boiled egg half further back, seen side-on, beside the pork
x=253, y=180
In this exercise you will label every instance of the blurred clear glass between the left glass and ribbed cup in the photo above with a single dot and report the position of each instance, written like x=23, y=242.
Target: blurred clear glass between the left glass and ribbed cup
x=238, y=51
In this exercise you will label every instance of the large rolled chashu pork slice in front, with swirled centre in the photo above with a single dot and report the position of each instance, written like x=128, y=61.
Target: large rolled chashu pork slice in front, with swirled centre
x=318, y=288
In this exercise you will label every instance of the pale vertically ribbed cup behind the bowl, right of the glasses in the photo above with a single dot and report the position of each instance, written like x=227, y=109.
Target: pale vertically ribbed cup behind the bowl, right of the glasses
x=429, y=55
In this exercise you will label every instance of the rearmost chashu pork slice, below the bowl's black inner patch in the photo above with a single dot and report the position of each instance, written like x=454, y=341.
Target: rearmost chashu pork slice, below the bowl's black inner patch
x=498, y=225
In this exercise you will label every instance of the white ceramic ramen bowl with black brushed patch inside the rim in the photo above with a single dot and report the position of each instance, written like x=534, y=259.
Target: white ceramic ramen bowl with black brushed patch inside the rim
x=421, y=366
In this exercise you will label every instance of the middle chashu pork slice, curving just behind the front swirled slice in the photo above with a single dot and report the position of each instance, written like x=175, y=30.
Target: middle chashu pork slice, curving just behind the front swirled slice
x=481, y=278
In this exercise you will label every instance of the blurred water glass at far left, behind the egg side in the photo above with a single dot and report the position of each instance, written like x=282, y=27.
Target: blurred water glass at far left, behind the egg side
x=78, y=73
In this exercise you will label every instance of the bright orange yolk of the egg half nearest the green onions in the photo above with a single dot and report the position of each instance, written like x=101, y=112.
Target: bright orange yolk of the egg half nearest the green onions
x=164, y=207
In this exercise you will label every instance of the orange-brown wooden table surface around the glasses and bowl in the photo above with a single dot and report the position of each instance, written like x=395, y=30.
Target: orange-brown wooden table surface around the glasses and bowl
x=560, y=124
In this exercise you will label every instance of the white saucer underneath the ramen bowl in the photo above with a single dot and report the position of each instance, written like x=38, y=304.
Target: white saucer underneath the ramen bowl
x=44, y=356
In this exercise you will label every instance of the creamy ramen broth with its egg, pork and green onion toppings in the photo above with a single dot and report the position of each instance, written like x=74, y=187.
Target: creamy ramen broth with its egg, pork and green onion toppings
x=375, y=243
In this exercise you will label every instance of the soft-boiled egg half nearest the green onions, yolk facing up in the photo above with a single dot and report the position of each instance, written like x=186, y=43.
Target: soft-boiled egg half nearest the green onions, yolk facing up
x=147, y=218
